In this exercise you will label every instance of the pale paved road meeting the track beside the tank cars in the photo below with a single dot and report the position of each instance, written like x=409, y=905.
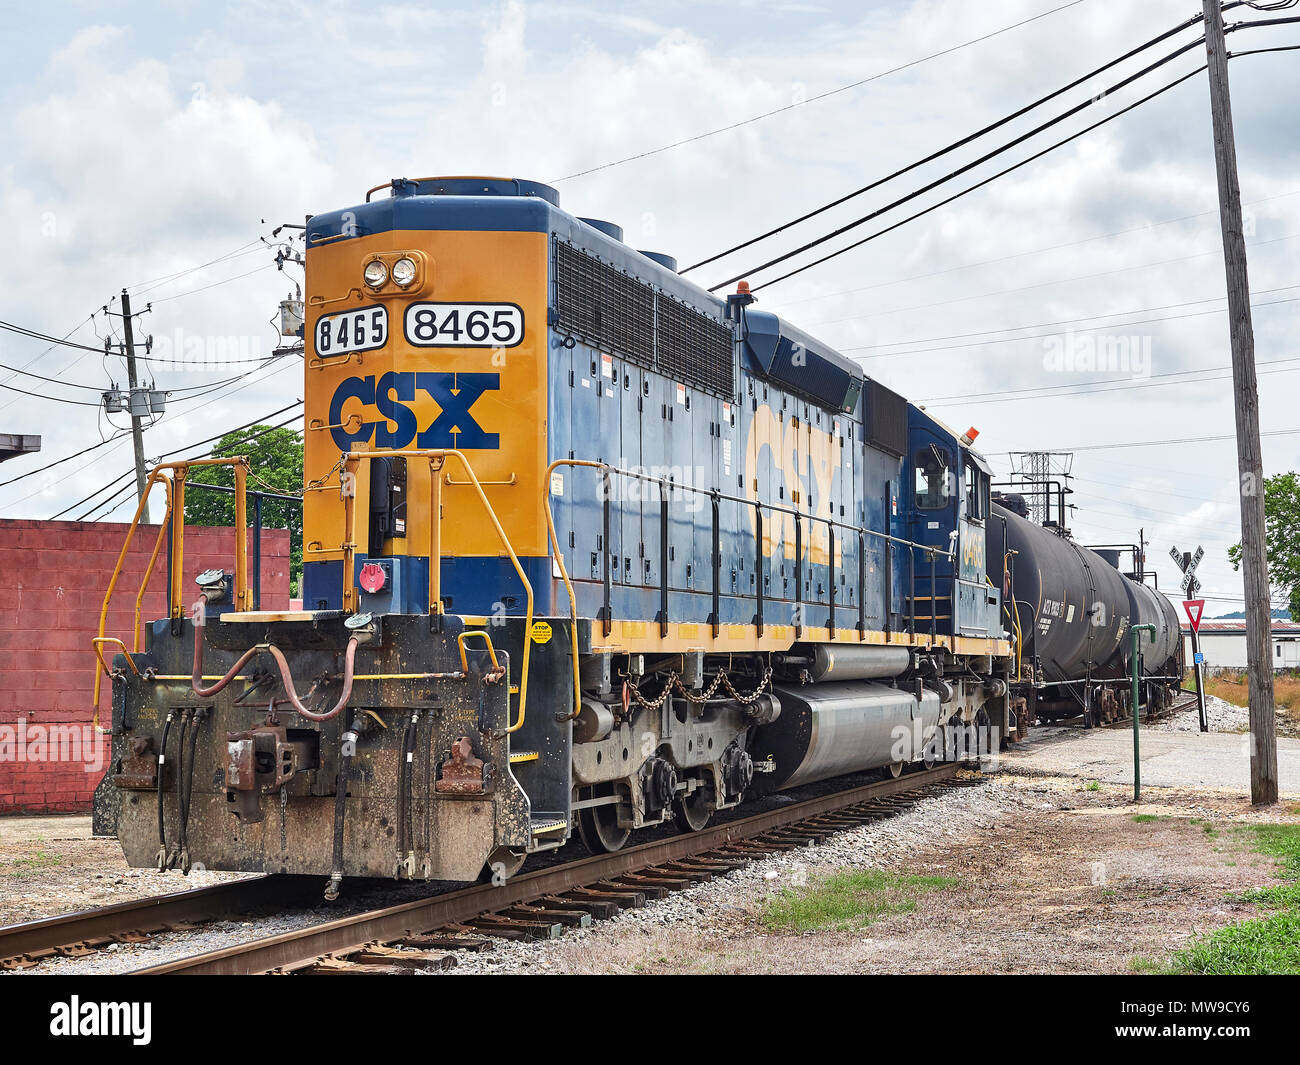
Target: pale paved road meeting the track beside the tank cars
x=1169, y=760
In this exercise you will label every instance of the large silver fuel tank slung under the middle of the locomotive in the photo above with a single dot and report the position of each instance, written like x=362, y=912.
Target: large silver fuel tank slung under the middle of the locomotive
x=829, y=730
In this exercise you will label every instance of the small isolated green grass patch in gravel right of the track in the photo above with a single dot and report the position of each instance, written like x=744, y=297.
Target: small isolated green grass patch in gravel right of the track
x=848, y=901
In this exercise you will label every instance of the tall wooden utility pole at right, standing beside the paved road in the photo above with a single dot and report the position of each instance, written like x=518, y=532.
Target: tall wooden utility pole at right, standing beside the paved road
x=1259, y=622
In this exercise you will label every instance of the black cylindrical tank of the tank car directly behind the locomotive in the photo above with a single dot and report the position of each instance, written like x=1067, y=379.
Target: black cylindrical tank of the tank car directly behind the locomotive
x=1073, y=605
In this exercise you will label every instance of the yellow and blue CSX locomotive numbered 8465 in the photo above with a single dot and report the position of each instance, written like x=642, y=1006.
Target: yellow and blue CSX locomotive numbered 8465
x=586, y=549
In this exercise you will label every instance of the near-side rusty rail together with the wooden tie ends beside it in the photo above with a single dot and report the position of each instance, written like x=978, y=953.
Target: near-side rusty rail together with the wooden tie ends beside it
x=430, y=933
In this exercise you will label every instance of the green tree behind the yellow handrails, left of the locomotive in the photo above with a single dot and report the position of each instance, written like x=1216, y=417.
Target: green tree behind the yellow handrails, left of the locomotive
x=276, y=465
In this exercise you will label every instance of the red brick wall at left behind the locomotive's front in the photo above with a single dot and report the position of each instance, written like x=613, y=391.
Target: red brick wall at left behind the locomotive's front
x=53, y=582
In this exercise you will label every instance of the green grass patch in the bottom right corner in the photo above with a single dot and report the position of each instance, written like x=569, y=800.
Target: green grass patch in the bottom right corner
x=1268, y=945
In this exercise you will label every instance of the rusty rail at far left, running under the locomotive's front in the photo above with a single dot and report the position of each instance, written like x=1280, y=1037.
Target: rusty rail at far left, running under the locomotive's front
x=86, y=932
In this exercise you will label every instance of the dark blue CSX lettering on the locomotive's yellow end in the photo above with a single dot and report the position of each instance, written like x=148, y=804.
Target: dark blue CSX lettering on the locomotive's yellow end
x=391, y=396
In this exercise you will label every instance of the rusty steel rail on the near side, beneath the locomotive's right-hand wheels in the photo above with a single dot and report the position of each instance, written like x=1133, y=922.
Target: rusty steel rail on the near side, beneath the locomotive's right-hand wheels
x=300, y=949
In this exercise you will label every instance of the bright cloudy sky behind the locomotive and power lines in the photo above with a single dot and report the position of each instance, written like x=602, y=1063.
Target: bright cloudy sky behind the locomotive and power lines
x=146, y=141
